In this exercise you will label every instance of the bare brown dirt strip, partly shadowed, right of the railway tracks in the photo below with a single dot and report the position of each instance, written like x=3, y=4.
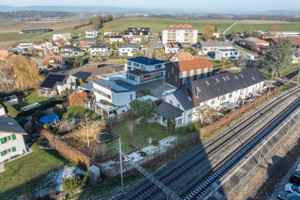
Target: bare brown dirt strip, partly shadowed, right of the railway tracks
x=260, y=184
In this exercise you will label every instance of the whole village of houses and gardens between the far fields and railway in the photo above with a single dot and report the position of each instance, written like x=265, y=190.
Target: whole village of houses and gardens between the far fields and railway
x=153, y=90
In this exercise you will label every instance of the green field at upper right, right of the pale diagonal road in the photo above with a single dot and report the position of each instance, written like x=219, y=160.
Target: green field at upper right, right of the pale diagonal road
x=263, y=26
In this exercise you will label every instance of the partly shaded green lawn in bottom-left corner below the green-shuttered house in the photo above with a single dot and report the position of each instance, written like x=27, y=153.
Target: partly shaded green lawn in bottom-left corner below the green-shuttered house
x=27, y=173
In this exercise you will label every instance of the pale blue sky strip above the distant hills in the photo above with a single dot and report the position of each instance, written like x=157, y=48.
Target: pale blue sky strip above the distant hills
x=193, y=5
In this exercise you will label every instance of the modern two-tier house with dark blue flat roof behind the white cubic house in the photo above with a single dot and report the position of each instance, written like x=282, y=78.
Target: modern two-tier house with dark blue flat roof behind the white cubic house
x=143, y=69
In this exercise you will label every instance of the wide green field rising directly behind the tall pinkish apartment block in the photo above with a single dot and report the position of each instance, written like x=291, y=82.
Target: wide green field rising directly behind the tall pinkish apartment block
x=157, y=25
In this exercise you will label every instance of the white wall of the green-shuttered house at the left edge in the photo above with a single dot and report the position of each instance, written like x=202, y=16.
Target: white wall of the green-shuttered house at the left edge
x=18, y=143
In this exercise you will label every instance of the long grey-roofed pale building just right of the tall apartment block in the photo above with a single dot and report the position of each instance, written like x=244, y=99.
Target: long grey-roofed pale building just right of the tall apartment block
x=205, y=48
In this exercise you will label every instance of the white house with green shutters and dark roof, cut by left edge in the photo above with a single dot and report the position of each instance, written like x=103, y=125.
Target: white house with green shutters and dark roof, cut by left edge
x=12, y=142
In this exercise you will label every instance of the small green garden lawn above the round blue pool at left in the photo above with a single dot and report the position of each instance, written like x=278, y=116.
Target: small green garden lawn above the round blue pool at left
x=32, y=98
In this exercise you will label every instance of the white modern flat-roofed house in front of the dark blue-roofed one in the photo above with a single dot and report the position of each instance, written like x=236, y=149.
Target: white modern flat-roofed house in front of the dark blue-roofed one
x=112, y=98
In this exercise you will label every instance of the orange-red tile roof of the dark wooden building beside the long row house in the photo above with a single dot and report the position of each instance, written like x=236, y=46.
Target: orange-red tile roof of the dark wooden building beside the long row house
x=186, y=65
